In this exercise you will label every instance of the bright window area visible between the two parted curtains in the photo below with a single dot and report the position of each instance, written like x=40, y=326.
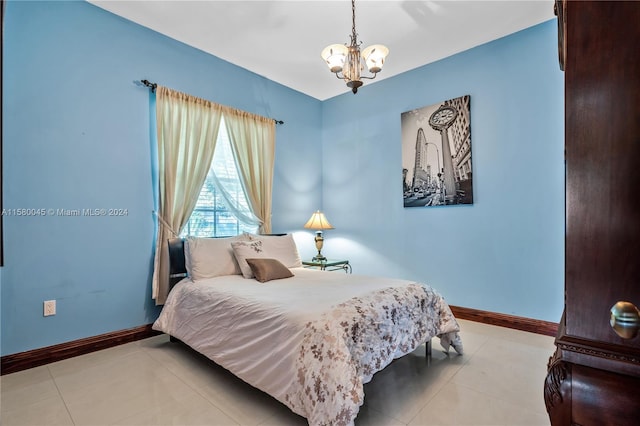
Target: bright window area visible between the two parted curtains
x=222, y=209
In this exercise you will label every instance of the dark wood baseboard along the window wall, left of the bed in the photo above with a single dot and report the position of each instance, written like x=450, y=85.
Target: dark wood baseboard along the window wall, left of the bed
x=34, y=358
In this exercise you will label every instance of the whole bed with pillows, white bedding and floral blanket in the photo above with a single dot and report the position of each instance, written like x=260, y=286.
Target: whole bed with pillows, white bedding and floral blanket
x=309, y=338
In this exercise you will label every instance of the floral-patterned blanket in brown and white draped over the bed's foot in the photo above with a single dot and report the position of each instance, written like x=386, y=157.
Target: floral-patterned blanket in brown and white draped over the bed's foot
x=342, y=350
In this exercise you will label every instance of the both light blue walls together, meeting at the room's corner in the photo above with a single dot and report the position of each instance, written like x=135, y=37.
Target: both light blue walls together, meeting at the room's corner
x=77, y=134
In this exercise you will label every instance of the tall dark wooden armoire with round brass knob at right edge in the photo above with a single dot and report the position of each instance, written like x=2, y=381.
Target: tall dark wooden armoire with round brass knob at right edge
x=594, y=375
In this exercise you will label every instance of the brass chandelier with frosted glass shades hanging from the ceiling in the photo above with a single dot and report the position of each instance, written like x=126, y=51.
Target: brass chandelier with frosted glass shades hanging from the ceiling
x=346, y=59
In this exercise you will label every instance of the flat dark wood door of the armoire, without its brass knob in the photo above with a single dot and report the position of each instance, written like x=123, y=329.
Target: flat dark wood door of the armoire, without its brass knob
x=602, y=129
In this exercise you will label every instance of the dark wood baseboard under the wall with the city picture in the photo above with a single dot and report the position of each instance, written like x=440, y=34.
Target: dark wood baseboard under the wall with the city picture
x=509, y=321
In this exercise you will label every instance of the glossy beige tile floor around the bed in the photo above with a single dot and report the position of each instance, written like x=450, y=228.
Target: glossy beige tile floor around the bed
x=498, y=381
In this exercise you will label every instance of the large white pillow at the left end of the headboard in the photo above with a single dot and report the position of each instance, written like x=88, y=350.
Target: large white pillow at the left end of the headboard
x=211, y=257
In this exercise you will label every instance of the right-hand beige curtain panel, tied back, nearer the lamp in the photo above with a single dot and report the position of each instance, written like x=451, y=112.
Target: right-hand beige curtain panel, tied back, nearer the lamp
x=252, y=139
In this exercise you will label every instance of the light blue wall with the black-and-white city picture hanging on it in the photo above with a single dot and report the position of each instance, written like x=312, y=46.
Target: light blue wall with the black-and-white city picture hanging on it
x=504, y=253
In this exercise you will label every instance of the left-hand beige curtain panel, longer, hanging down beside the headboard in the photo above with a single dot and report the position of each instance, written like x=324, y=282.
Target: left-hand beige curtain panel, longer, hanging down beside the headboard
x=187, y=132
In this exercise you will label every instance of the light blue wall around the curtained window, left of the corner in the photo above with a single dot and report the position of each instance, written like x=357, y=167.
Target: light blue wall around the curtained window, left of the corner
x=77, y=135
